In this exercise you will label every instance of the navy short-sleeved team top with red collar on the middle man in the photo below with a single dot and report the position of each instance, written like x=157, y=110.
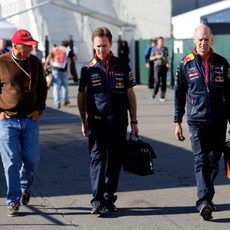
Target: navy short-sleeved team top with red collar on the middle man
x=106, y=87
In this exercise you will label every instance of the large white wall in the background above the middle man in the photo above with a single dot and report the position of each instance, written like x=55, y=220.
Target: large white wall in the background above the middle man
x=152, y=18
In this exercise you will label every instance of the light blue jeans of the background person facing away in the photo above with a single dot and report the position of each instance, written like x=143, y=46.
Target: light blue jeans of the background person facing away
x=60, y=79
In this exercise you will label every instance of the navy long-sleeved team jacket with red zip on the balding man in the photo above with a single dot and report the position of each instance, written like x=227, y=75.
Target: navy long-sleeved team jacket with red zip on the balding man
x=205, y=84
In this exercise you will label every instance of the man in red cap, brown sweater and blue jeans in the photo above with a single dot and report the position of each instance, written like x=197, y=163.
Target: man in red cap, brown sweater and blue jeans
x=23, y=93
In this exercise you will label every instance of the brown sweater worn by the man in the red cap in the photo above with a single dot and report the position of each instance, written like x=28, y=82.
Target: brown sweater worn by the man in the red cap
x=18, y=95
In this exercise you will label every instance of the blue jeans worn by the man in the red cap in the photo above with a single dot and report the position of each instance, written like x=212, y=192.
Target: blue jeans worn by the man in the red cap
x=19, y=143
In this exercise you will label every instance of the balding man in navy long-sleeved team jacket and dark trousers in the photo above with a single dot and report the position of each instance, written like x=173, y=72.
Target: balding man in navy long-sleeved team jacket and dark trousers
x=203, y=80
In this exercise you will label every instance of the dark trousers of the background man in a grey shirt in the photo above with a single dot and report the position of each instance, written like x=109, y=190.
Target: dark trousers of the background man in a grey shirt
x=160, y=75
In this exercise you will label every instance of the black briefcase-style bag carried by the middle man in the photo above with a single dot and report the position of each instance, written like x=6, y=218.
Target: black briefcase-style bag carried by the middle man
x=138, y=157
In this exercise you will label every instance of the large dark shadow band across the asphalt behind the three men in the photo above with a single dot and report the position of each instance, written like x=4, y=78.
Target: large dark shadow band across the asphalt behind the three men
x=64, y=163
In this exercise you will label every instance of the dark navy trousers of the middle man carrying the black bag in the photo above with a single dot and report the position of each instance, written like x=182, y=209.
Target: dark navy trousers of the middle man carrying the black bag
x=106, y=145
